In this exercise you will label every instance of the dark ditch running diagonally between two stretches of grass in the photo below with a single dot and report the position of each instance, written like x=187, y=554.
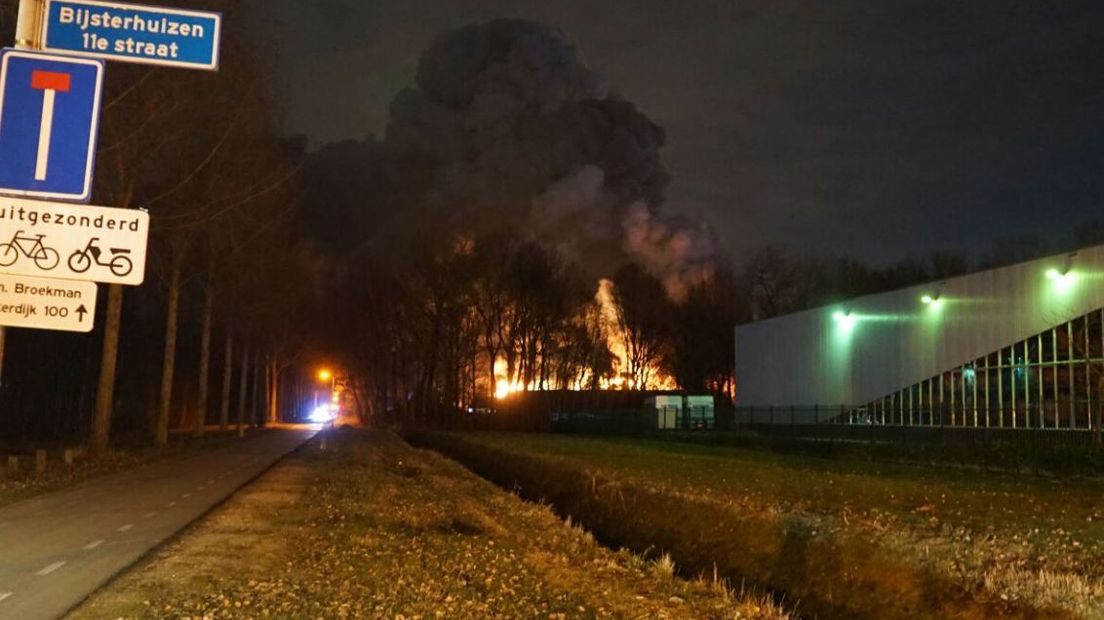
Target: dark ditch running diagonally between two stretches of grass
x=815, y=574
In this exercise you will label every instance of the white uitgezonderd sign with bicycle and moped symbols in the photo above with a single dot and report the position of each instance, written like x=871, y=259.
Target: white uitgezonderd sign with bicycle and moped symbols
x=69, y=242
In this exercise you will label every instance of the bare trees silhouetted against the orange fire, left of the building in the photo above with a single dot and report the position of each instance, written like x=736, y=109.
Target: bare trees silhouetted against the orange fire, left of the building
x=432, y=333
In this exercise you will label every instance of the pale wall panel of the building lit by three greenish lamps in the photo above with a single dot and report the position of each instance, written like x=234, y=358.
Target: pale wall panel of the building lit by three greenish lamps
x=861, y=351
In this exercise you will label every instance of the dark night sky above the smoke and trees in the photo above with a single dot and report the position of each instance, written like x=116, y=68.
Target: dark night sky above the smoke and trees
x=878, y=130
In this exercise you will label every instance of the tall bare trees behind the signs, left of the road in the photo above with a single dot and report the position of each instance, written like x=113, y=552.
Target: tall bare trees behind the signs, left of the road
x=225, y=295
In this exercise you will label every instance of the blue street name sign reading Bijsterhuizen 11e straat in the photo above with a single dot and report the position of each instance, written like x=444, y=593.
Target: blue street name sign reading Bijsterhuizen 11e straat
x=134, y=34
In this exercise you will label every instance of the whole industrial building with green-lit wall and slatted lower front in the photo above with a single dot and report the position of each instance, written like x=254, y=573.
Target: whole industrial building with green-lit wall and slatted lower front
x=1018, y=347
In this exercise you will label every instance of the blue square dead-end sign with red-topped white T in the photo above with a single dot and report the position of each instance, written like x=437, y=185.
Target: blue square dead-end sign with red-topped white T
x=49, y=121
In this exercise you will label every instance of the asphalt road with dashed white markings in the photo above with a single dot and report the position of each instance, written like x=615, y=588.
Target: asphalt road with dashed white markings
x=57, y=550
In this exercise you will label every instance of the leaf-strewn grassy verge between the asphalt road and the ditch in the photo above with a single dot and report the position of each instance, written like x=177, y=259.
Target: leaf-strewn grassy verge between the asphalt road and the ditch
x=374, y=529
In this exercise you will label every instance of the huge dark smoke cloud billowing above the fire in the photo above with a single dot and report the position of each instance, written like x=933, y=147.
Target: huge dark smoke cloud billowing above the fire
x=509, y=127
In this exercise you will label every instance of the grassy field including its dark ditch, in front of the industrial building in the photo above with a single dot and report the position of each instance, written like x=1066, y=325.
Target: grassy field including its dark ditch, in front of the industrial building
x=848, y=539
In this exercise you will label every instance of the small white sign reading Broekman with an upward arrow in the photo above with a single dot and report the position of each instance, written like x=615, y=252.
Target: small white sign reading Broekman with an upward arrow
x=39, y=304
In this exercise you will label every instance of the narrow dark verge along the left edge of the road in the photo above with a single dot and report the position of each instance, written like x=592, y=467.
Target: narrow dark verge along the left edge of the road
x=27, y=484
